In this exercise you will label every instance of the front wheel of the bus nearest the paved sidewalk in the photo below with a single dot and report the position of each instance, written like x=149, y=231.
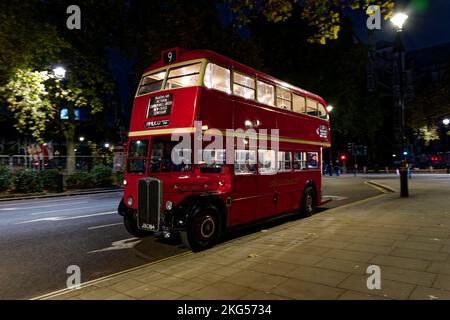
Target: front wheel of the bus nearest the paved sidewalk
x=203, y=228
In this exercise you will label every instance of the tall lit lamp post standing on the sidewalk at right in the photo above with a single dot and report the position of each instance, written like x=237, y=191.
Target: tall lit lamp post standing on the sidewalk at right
x=398, y=21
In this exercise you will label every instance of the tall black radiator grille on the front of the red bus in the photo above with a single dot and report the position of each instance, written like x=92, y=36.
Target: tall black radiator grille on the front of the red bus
x=149, y=203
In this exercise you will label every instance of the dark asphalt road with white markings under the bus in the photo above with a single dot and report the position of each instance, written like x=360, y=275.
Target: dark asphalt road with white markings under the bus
x=41, y=238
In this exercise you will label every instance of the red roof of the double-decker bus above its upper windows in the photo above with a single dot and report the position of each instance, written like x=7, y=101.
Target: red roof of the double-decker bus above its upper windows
x=185, y=55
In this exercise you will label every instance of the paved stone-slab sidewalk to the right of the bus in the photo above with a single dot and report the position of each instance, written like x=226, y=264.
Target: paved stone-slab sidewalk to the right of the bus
x=322, y=257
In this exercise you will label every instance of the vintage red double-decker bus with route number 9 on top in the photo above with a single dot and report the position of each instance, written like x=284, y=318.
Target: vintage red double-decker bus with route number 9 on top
x=275, y=168
